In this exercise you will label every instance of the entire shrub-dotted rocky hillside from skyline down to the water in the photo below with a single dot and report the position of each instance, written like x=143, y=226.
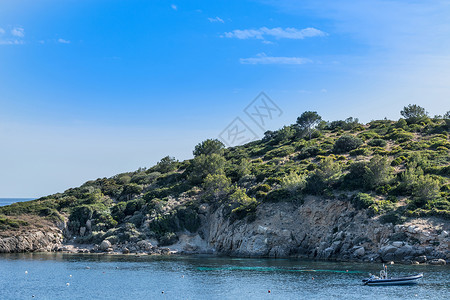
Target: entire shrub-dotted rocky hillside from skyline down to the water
x=382, y=174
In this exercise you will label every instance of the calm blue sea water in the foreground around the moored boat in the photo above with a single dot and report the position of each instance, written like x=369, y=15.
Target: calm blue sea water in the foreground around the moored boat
x=64, y=276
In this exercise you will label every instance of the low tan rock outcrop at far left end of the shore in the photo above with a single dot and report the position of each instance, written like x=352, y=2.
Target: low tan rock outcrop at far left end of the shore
x=38, y=241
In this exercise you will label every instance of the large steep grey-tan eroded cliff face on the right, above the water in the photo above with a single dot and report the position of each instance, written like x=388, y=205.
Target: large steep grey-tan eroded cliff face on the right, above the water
x=322, y=229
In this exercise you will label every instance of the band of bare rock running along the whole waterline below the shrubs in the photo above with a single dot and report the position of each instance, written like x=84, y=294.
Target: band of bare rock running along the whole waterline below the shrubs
x=321, y=229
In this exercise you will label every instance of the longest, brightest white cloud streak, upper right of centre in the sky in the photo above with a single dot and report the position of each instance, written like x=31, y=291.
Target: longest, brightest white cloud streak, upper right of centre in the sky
x=277, y=32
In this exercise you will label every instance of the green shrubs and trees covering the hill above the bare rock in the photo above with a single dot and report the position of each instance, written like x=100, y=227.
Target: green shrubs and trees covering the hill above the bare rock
x=392, y=169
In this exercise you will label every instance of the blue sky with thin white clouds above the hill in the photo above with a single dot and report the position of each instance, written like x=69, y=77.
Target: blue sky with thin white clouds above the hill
x=92, y=88
